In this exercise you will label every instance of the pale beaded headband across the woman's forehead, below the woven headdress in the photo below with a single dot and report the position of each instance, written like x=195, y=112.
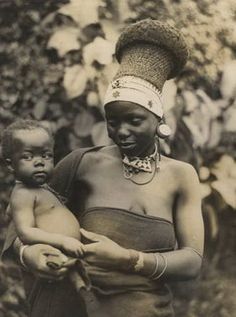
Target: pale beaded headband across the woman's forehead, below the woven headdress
x=136, y=90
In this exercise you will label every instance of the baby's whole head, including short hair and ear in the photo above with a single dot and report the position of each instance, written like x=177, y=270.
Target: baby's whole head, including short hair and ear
x=27, y=147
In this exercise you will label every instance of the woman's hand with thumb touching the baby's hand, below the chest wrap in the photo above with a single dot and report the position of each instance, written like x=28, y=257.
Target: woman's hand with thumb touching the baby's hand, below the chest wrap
x=103, y=252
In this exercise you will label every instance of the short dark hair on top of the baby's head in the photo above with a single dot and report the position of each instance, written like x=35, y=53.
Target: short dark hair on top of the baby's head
x=8, y=134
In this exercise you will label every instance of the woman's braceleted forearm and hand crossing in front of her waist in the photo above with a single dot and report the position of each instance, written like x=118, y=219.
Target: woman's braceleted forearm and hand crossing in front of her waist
x=173, y=265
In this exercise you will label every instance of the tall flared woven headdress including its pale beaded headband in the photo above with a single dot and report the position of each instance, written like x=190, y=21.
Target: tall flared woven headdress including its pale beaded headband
x=149, y=52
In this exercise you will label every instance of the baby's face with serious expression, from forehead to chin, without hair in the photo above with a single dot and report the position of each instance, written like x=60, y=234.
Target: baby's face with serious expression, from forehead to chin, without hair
x=32, y=161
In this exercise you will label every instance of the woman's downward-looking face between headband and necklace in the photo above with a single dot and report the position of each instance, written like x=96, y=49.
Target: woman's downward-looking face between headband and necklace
x=131, y=127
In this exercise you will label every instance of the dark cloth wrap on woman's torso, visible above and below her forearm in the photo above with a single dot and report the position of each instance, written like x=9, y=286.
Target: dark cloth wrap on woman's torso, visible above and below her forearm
x=119, y=293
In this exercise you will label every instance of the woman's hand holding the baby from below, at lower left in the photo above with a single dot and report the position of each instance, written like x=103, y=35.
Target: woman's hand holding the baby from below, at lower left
x=36, y=259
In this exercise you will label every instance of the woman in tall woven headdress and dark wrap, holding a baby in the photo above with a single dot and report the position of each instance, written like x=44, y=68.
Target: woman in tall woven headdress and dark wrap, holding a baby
x=141, y=210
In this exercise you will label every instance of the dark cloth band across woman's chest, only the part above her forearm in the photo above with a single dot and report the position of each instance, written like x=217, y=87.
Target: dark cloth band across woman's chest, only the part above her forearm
x=129, y=229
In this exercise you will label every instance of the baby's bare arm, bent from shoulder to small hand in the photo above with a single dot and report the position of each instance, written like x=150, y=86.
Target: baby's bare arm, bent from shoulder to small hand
x=22, y=206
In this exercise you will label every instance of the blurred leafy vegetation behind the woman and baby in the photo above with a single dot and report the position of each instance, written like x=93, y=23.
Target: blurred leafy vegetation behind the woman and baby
x=56, y=59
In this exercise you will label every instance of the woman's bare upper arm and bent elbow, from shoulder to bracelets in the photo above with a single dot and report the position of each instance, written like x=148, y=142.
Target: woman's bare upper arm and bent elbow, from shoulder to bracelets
x=185, y=263
